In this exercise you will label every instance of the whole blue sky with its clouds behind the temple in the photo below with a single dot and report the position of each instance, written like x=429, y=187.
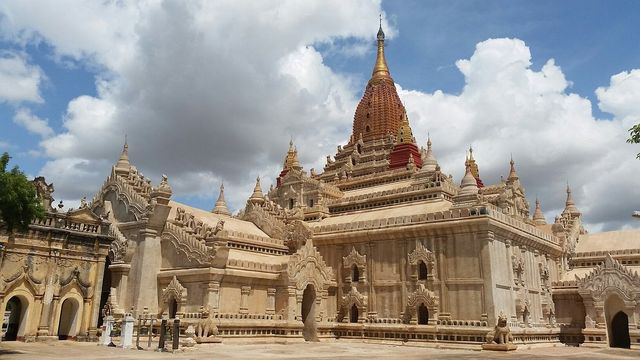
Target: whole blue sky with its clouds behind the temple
x=329, y=54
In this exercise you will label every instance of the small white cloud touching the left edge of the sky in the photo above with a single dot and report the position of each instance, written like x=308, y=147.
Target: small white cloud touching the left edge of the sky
x=19, y=81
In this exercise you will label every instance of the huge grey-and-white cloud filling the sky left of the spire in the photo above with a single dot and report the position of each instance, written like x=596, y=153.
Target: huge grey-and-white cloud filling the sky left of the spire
x=204, y=91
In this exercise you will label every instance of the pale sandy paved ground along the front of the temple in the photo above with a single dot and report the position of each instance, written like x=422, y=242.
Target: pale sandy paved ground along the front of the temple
x=342, y=349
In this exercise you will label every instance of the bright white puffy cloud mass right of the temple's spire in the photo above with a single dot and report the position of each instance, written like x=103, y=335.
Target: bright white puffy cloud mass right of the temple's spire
x=506, y=107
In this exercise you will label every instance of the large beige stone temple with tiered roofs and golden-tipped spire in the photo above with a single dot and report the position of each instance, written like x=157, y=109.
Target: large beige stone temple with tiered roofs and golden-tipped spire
x=382, y=244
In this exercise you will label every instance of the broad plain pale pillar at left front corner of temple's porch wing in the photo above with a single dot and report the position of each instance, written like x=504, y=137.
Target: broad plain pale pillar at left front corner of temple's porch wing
x=149, y=261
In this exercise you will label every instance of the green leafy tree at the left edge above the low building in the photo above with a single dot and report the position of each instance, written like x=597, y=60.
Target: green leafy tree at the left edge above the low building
x=19, y=204
